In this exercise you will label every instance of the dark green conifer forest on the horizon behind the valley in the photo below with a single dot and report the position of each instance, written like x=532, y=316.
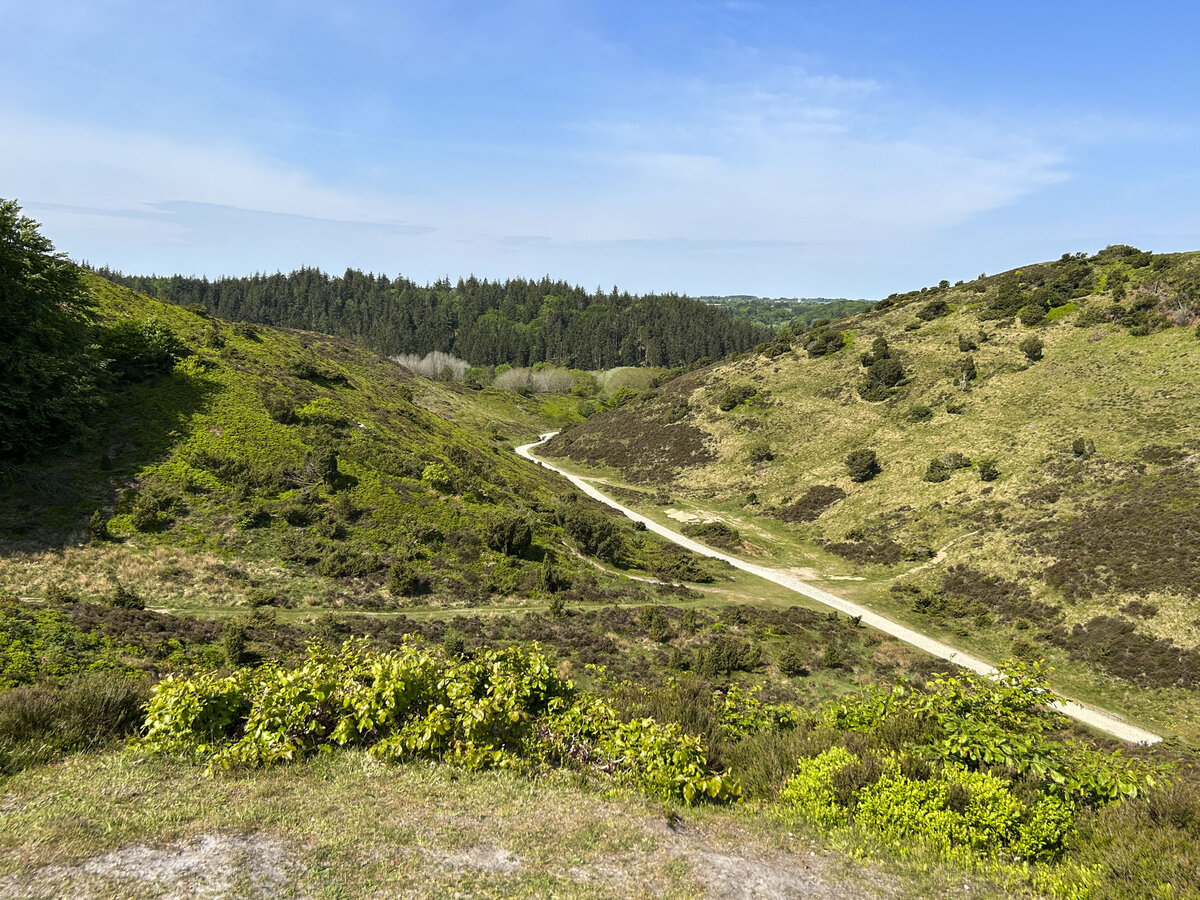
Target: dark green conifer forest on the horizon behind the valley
x=519, y=322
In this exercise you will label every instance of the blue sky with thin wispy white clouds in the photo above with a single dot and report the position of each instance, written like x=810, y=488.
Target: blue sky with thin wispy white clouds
x=838, y=149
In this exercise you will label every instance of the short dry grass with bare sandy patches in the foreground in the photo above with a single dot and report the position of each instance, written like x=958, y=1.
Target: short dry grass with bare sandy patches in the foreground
x=346, y=826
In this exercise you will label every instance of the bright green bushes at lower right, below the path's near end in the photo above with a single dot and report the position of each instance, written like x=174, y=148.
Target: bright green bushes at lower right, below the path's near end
x=965, y=763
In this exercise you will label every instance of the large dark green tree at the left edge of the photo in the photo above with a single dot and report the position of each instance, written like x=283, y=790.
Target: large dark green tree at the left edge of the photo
x=45, y=314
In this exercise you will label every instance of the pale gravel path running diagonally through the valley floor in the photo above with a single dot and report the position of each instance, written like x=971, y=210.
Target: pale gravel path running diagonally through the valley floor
x=1097, y=719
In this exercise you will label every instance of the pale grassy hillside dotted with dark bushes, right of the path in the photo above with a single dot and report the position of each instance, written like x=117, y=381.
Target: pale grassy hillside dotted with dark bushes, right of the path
x=1063, y=481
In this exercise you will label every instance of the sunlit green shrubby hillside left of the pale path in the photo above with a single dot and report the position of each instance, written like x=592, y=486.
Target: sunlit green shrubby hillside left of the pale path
x=290, y=470
